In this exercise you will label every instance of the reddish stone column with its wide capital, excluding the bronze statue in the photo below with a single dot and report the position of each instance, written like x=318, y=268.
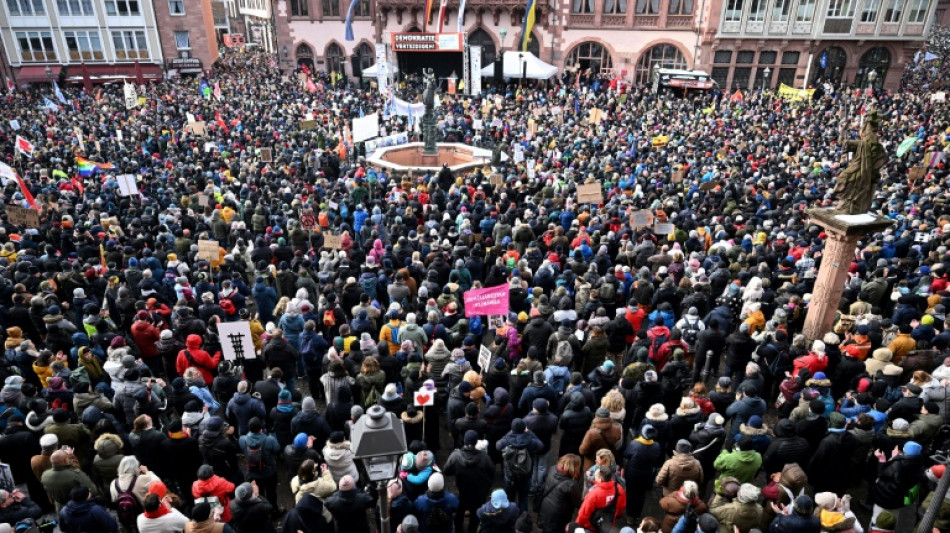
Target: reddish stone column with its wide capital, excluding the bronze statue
x=844, y=232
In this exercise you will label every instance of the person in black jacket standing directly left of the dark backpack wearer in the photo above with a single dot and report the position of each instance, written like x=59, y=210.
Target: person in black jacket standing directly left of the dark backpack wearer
x=474, y=474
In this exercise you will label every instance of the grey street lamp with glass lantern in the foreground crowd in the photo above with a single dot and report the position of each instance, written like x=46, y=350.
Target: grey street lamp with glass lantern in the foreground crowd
x=378, y=439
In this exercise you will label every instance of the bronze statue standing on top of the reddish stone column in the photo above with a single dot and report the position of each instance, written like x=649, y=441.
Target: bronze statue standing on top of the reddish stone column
x=856, y=184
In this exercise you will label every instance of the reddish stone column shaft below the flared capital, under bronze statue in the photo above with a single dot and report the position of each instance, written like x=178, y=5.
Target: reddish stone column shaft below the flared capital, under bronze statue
x=835, y=260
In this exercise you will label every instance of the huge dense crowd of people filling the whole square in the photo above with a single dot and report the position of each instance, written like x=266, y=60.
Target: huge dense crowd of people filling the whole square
x=640, y=381
